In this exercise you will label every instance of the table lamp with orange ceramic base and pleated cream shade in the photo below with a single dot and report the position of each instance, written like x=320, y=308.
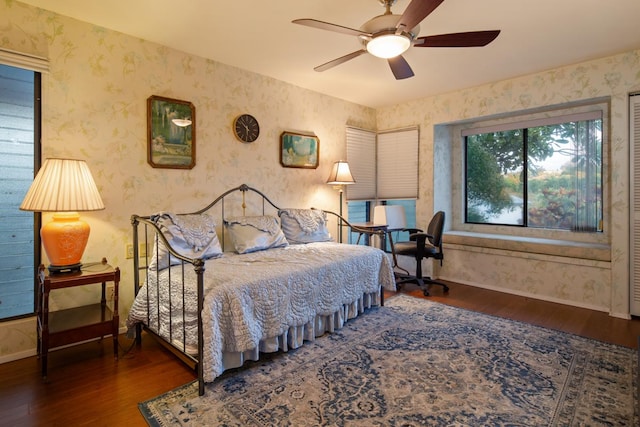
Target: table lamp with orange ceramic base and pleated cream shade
x=65, y=187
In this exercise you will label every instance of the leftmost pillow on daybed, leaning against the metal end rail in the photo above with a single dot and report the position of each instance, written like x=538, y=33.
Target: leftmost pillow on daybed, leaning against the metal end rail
x=192, y=236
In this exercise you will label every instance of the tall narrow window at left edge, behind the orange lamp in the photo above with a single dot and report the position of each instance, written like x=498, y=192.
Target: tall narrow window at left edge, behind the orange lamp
x=19, y=153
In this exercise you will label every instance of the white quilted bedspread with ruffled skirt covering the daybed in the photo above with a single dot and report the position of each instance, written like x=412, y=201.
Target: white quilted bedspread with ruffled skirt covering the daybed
x=267, y=301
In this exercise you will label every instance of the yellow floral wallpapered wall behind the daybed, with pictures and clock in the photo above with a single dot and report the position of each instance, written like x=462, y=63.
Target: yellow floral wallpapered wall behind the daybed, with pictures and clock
x=94, y=108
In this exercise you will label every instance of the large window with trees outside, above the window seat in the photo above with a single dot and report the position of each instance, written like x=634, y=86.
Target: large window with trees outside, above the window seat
x=544, y=173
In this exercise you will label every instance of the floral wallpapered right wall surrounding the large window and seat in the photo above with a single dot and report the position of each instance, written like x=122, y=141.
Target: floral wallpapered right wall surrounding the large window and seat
x=581, y=277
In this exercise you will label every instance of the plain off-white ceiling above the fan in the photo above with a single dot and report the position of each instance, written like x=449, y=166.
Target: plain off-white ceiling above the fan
x=257, y=35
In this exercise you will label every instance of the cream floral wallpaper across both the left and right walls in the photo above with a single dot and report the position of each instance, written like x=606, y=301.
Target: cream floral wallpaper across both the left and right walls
x=94, y=108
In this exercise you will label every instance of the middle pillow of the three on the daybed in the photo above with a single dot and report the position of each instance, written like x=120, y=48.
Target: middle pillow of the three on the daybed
x=255, y=233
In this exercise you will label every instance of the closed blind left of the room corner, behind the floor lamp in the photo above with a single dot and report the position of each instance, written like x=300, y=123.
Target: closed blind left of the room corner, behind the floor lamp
x=361, y=155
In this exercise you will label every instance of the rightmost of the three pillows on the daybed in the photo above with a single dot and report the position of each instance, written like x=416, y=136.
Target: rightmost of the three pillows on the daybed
x=304, y=225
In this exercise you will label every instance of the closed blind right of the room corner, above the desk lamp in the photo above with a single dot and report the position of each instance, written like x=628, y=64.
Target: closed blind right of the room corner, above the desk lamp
x=398, y=164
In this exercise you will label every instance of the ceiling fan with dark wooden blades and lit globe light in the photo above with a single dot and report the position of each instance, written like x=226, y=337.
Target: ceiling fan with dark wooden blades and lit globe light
x=388, y=36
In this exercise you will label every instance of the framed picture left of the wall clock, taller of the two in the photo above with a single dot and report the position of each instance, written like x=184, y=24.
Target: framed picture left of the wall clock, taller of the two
x=171, y=133
